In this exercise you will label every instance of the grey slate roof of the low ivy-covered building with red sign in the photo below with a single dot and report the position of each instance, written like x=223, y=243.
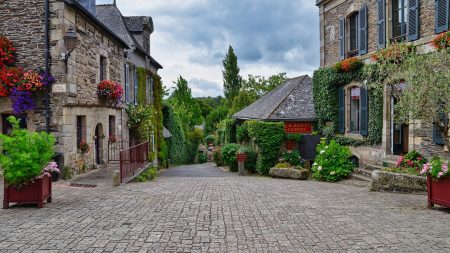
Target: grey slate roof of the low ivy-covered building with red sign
x=291, y=101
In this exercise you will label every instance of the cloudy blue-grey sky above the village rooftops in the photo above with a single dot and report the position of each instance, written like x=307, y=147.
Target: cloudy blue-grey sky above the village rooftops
x=192, y=36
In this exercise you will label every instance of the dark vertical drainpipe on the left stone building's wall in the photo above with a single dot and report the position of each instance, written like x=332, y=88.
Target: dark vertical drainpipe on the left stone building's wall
x=47, y=65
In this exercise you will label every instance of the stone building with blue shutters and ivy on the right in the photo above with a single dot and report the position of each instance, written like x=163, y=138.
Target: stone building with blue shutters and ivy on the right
x=358, y=28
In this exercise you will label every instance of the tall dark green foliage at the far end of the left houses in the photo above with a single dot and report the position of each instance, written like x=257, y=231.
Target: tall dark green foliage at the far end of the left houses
x=176, y=143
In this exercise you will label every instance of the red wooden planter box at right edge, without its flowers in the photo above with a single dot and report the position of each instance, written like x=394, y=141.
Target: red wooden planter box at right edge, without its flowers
x=438, y=192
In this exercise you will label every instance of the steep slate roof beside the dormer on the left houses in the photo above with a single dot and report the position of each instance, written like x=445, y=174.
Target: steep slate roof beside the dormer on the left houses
x=111, y=16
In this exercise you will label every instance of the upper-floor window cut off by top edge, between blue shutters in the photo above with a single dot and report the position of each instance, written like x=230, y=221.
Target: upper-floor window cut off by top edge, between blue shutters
x=399, y=18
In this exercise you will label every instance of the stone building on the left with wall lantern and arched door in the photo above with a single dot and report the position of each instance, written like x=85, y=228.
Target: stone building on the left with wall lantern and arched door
x=75, y=112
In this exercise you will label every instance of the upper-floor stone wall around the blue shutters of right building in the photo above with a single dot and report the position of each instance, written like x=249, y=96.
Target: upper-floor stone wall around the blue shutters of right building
x=333, y=10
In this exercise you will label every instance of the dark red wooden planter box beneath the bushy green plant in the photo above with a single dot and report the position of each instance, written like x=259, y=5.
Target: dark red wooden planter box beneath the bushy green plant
x=36, y=192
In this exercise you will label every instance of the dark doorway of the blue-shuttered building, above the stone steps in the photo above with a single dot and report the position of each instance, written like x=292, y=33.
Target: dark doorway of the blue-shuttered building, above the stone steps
x=399, y=133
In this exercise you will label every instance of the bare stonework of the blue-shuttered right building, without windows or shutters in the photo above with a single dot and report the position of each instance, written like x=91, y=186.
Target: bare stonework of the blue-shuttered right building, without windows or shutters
x=420, y=134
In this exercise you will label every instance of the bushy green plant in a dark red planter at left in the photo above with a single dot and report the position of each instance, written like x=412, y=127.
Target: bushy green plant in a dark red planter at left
x=27, y=166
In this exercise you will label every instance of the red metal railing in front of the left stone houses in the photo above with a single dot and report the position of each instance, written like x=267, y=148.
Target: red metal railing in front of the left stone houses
x=132, y=160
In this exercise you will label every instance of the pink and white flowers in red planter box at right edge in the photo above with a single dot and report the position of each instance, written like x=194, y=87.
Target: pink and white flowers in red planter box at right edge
x=438, y=182
